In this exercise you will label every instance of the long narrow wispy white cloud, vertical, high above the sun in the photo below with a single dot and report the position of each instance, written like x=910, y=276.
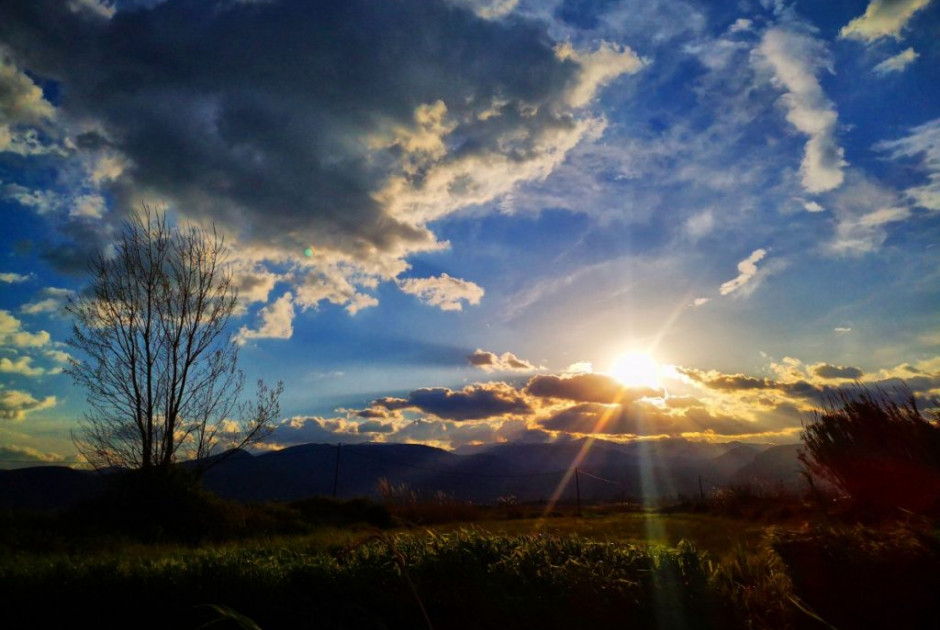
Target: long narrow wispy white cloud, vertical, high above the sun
x=794, y=59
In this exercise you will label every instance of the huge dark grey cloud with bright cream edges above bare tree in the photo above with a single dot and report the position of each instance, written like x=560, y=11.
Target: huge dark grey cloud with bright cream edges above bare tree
x=238, y=114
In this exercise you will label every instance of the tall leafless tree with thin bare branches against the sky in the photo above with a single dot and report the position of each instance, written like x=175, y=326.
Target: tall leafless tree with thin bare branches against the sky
x=157, y=361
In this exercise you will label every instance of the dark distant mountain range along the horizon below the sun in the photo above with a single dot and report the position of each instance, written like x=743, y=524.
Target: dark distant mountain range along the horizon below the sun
x=605, y=471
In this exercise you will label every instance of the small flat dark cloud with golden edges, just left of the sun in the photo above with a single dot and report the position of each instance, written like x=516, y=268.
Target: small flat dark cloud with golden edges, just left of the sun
x=474, y=402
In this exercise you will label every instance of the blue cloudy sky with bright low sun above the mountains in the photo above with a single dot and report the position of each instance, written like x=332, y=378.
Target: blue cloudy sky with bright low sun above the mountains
x=461, y=222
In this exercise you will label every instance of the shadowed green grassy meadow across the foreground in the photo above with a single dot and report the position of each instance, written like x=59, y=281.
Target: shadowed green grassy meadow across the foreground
x=437, y=563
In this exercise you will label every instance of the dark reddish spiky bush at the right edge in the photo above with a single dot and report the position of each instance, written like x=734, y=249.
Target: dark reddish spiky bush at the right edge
x=883, y=453
